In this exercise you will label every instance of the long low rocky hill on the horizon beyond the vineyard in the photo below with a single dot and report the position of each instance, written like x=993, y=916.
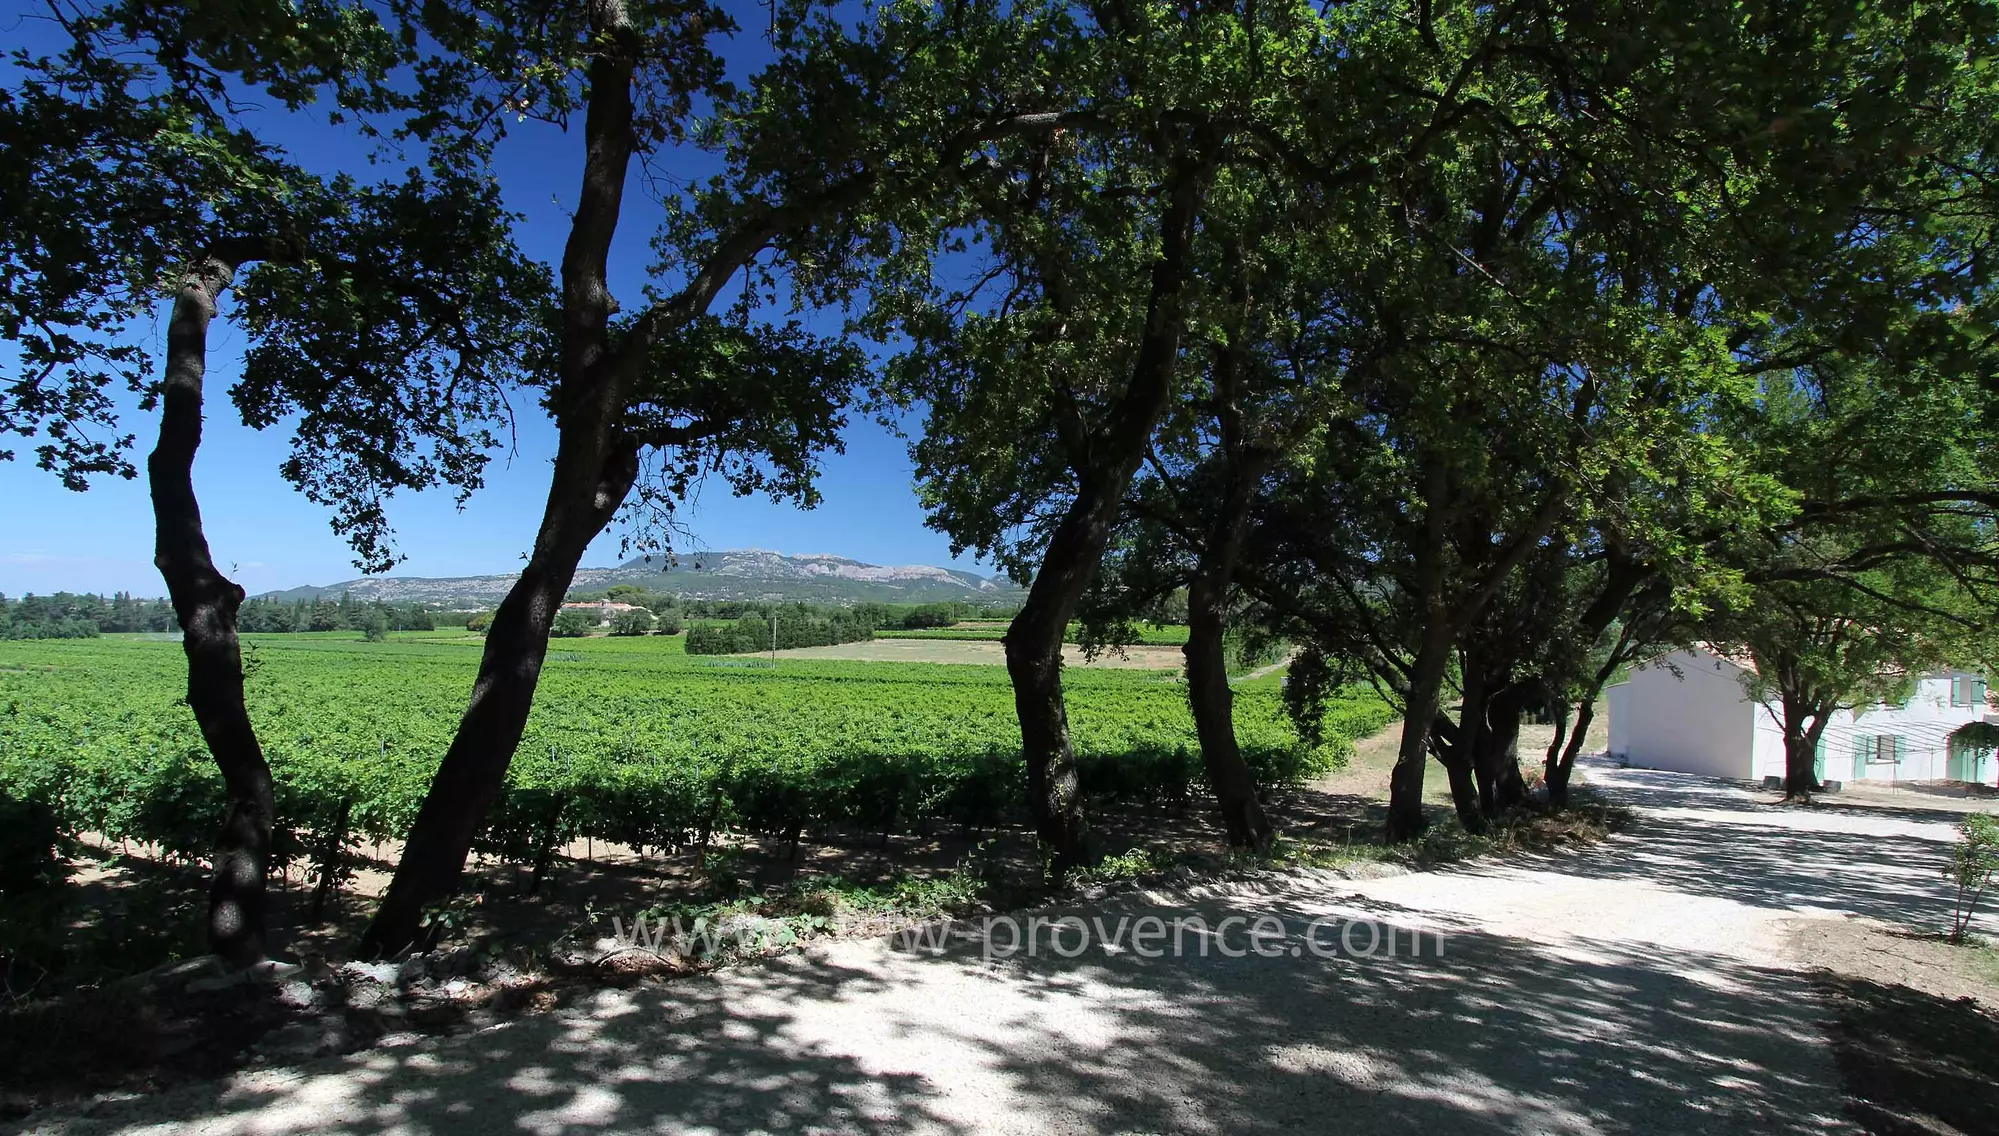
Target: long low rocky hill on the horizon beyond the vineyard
x=735, y=575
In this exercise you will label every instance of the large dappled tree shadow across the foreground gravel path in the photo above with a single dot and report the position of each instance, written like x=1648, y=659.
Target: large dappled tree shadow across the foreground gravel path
x=1322, y=1033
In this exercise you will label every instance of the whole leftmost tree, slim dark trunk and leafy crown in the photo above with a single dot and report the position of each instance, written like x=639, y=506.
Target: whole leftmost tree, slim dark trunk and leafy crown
x=131, y=167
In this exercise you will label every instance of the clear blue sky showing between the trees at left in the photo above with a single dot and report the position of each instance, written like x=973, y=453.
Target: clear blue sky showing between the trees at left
x=269, y=537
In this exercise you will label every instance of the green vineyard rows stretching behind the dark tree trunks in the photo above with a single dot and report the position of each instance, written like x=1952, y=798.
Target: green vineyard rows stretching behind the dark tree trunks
x=631, y=743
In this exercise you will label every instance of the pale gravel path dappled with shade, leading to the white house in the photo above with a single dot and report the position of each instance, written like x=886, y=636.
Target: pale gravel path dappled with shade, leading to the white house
x=1640, y=987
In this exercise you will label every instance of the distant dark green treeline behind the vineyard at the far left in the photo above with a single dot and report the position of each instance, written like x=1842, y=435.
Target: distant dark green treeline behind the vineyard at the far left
x=83, y=615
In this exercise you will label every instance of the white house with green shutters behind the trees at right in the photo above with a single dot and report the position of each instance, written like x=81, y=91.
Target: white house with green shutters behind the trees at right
x=1690, y=711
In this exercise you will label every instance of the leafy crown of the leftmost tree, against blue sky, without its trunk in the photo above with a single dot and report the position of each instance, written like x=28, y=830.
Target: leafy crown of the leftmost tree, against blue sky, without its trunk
x=385, y=321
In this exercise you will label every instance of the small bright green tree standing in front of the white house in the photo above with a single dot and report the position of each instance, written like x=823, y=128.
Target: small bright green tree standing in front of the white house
x=1886, y=565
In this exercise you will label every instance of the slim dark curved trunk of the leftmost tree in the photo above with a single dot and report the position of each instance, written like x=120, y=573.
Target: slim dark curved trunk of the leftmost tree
x=207, y=603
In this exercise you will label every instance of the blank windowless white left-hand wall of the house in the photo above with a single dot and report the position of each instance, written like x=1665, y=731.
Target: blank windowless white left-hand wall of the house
x=1684, y=713
